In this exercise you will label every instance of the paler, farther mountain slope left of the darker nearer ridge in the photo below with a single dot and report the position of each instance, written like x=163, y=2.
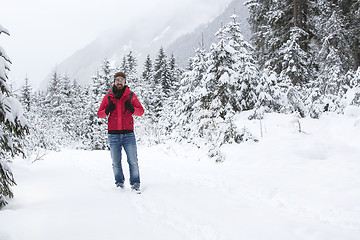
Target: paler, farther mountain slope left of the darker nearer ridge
x=143, y=35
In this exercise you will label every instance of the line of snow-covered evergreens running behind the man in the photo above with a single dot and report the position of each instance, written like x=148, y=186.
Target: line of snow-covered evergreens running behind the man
x=198, y=104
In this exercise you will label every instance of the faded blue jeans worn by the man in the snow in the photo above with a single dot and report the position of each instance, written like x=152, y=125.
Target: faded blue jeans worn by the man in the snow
x=128, y=141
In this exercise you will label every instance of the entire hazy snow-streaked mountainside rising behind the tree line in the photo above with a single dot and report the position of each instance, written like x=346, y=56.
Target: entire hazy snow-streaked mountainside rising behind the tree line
x=179, y=34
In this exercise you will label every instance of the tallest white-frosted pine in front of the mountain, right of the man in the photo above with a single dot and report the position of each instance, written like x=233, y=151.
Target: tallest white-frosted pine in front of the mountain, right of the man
x=221, y=96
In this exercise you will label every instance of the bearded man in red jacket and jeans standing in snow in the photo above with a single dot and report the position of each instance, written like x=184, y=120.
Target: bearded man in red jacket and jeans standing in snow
x=120, y=104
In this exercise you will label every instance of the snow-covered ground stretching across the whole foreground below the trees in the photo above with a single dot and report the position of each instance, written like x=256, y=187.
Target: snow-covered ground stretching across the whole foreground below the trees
x=287, y=186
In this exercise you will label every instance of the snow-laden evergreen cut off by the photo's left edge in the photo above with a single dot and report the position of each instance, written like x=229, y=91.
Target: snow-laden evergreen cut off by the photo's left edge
x=13, y=127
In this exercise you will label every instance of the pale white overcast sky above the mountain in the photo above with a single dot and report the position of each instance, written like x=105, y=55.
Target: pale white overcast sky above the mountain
x=45, y=32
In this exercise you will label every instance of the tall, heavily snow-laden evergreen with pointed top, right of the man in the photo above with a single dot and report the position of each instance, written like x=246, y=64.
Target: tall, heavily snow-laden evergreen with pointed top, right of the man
x=219, y=90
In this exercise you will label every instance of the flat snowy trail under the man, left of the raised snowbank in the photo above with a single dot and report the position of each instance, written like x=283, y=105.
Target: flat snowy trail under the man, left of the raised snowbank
x=72, y=198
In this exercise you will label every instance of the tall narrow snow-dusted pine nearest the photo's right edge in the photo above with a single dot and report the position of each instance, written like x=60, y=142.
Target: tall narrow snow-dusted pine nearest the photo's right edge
x=335, y=56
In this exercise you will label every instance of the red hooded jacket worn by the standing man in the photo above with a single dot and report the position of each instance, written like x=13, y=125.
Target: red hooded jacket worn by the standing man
x=119, y=119
